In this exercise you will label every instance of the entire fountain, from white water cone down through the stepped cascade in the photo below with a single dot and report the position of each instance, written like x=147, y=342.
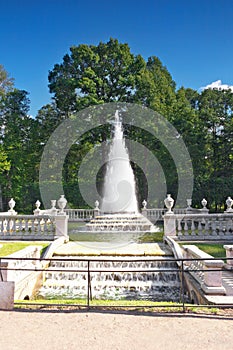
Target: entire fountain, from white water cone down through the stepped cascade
x=124, y=274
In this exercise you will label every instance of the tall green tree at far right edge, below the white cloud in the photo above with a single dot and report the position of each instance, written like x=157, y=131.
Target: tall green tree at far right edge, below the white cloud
x=215, y=112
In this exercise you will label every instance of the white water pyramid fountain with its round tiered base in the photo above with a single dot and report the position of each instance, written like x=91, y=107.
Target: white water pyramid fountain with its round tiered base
x=119, y=205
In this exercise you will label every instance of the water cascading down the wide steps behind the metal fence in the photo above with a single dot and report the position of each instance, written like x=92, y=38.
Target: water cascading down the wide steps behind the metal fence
x=146, y=280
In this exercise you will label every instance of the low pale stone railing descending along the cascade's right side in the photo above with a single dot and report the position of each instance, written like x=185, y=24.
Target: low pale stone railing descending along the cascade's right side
x=206, y=270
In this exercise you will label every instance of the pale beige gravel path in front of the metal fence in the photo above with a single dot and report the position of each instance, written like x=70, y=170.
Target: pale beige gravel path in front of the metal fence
x=32, y=330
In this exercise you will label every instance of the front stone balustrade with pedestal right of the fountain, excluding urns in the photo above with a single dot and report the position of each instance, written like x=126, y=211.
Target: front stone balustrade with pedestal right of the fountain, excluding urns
x=199, y=226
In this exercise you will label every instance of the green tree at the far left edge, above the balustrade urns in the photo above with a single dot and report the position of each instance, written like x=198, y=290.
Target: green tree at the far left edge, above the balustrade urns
x=17, y=145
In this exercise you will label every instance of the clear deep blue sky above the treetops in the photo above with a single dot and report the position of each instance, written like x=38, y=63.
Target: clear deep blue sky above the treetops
x=192, y=38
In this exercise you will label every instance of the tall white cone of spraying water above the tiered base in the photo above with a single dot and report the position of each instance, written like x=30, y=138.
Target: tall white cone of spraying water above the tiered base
x=119, y=191
